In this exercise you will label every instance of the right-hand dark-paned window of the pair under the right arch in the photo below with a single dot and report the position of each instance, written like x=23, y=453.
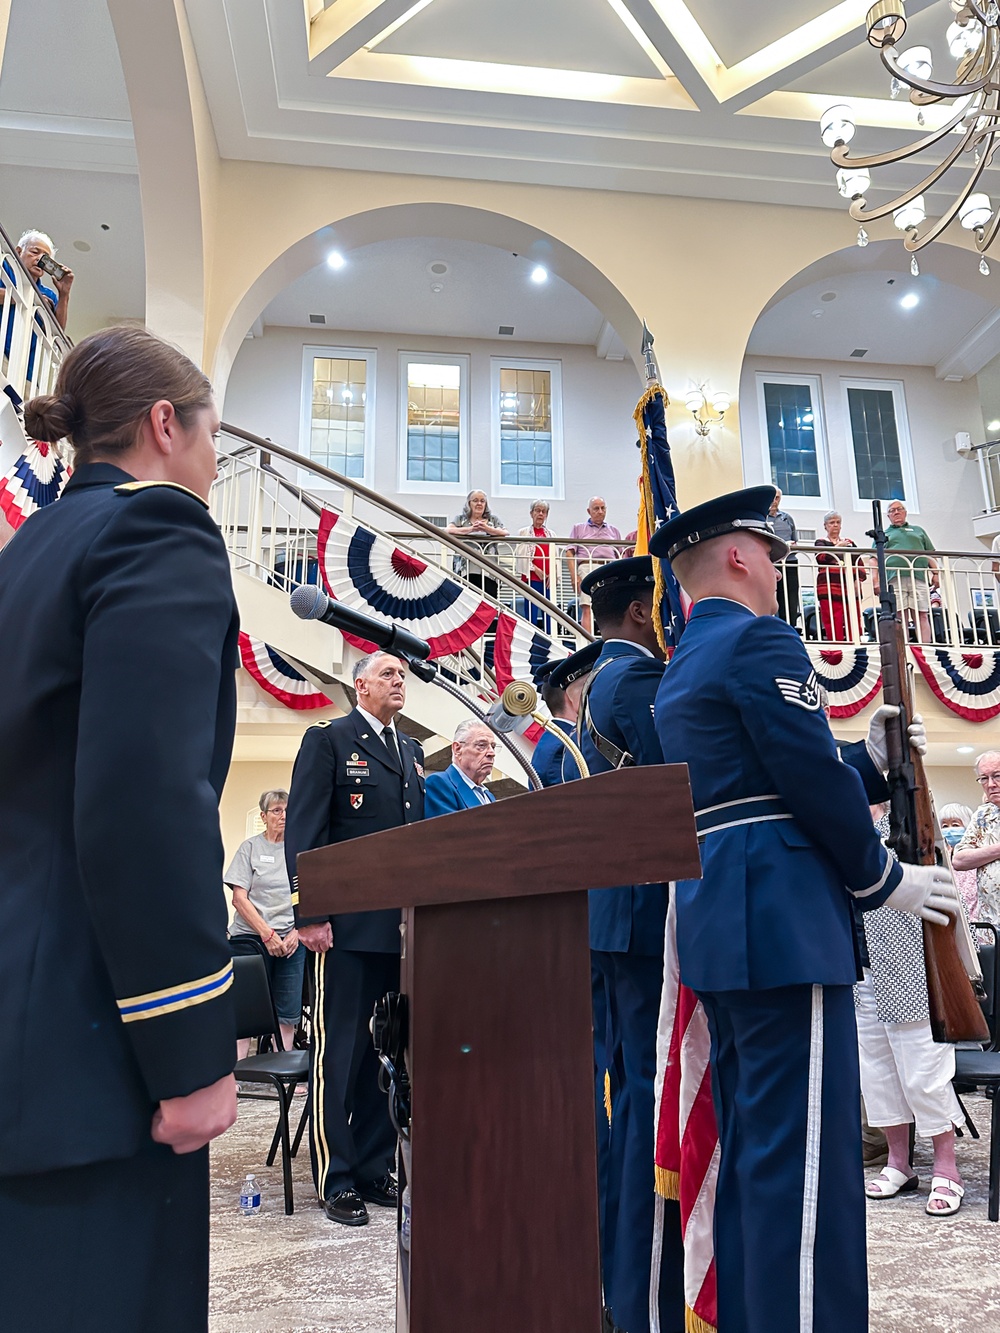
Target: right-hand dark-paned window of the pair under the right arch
x=881, y=459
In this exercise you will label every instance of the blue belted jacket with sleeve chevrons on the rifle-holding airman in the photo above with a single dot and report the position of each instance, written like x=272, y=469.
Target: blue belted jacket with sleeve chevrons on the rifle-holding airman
x=739, y=706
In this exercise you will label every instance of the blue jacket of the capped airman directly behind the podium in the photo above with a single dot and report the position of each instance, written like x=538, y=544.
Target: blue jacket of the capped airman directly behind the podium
x=629, y=919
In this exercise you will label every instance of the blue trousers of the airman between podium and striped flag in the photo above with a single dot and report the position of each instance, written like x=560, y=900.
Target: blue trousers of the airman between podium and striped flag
x=634, y=984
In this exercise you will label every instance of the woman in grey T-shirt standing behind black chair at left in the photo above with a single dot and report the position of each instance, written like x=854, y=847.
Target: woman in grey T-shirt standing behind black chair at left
x=265, y=922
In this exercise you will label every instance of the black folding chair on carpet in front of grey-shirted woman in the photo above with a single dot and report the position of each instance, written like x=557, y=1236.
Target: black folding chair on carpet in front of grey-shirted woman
x=283, y=1070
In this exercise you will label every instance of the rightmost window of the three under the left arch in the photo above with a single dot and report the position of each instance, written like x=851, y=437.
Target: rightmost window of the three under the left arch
x=527, y=429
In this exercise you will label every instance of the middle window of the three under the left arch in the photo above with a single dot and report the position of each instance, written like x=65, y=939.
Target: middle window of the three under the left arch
x=434, y=423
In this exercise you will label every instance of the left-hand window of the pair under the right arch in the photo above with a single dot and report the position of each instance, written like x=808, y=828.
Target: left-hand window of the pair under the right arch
x=795, y=453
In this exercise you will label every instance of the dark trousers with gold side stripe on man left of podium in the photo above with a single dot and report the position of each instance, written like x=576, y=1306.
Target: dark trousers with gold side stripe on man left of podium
x=351, y=1138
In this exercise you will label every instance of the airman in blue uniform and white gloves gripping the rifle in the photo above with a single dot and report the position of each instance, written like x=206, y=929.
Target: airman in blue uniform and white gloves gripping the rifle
x=766, y=936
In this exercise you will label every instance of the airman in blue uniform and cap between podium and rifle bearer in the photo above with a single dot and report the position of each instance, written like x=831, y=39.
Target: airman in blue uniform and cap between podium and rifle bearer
x=627, y=940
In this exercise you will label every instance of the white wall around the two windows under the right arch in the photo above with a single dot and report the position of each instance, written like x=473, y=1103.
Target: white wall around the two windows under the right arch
x=949, y=487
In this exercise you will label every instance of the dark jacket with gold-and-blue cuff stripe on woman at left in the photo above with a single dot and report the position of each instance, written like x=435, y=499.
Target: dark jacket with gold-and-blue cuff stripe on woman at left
x=118, y=710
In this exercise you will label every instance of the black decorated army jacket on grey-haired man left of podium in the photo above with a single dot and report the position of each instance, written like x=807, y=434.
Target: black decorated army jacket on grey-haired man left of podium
x=346, y=784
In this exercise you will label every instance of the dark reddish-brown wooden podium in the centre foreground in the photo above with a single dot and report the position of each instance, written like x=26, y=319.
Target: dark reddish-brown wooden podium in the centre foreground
x=498, y=971
